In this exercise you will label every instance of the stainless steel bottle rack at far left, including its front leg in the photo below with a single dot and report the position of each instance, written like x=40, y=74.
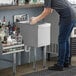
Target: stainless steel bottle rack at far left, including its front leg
x=17, y=48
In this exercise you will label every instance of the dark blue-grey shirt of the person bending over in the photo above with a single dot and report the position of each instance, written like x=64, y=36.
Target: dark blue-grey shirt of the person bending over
x=63, y=7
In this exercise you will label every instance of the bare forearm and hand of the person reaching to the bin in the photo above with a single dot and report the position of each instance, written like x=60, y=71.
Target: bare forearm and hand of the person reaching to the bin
x=46, y=12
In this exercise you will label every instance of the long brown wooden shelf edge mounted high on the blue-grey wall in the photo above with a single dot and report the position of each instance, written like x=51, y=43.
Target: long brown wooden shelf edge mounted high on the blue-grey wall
x=12, y=7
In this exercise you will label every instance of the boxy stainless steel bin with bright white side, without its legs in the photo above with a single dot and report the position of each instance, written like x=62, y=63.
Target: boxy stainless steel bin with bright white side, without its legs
x=35, y=35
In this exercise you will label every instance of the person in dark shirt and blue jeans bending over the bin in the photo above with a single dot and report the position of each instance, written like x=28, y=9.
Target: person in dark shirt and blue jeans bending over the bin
x=66, y=24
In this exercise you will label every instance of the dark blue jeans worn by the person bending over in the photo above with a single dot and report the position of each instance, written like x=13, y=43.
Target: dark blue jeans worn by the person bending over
x=65, y=27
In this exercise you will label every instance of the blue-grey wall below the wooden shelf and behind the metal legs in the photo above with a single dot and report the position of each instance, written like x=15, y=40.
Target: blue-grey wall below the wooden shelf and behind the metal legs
x=9, y=16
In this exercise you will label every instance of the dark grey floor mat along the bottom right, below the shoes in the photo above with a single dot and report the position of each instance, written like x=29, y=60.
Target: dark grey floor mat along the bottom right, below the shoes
x=67, y=72
